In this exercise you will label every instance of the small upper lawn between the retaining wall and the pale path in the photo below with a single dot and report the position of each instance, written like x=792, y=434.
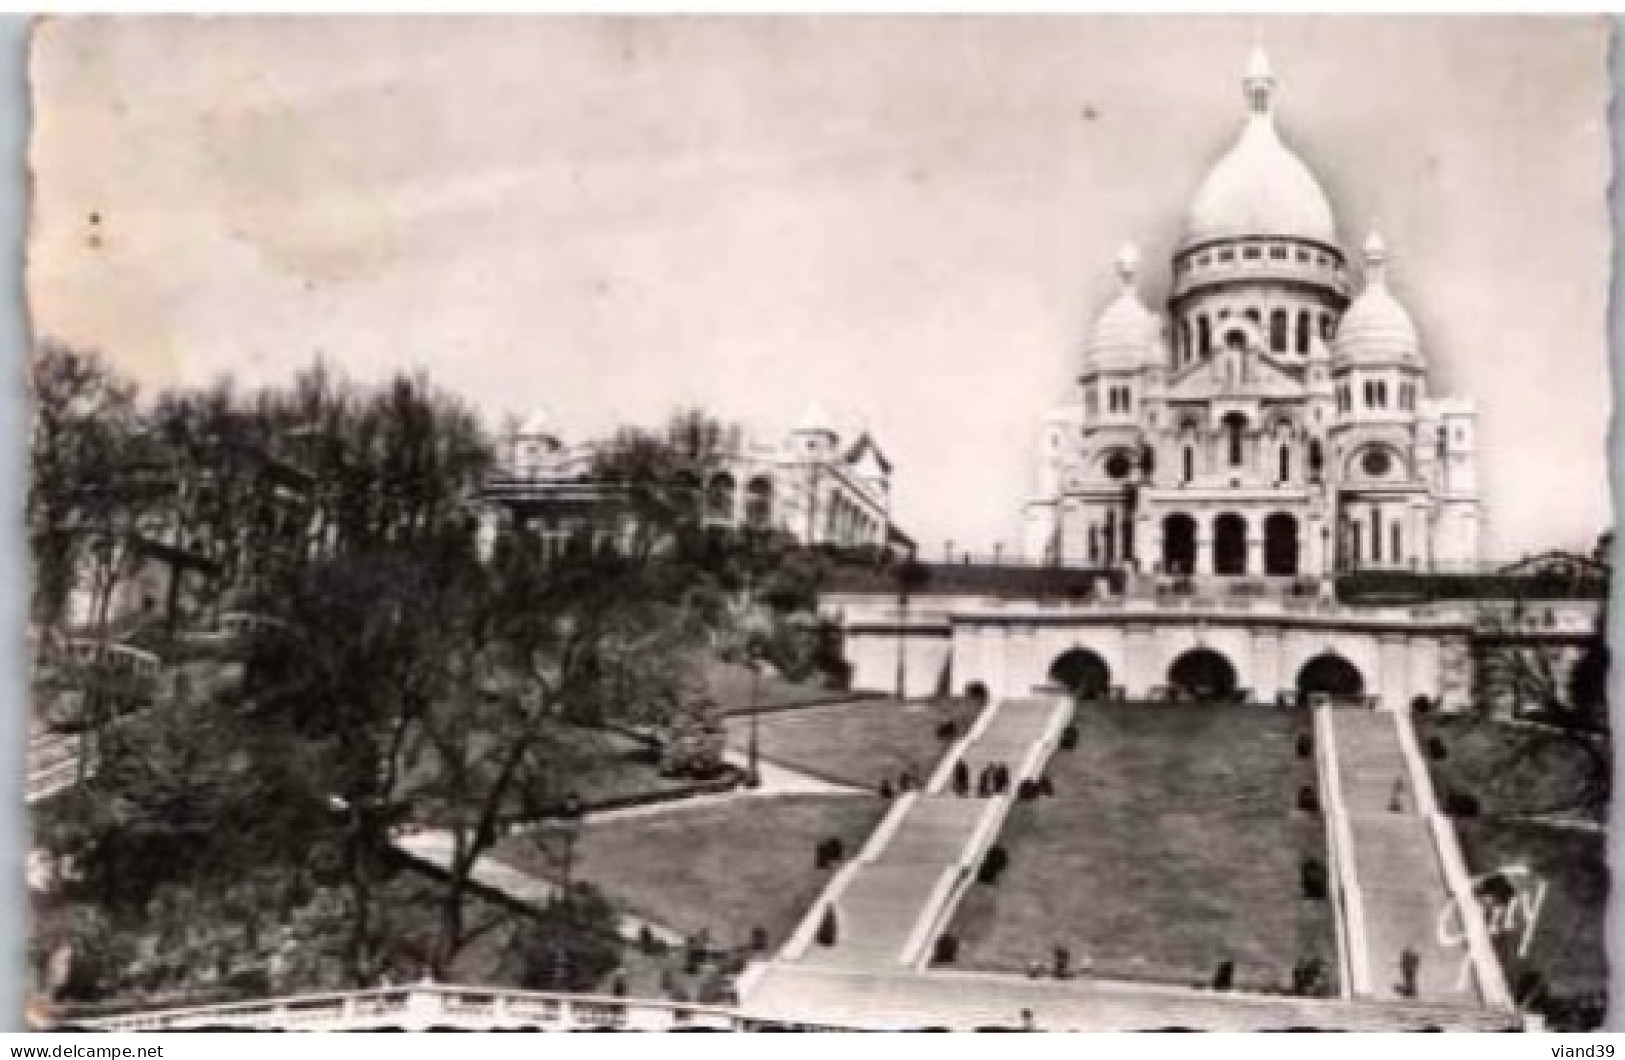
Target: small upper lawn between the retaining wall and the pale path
x=857, y=744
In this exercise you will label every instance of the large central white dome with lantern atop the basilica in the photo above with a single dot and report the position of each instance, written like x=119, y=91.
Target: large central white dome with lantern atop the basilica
x=1260, y=188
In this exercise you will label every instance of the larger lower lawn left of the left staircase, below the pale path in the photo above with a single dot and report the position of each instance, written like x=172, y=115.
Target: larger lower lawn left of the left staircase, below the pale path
x=722, y=869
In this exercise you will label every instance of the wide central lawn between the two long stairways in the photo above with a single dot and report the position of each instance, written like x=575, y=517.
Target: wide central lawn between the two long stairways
x=1172, y=845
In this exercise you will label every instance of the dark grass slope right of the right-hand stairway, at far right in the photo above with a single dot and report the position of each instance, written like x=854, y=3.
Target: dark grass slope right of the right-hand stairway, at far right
x=1519, y=771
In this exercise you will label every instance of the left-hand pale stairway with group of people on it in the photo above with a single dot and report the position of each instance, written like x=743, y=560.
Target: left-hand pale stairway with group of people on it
x=888, y=906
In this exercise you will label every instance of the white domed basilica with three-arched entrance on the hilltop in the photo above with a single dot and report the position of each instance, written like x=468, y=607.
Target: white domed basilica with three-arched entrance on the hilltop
x=1276, y=419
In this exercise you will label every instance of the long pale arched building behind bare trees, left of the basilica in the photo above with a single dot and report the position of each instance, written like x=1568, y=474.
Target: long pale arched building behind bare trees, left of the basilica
x=817, y=484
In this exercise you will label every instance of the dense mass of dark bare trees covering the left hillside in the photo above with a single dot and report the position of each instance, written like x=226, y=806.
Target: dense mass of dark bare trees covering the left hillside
x=402, y=667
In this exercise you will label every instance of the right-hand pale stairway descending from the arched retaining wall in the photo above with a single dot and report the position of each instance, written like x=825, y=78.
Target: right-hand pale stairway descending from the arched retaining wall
x=1406, y=897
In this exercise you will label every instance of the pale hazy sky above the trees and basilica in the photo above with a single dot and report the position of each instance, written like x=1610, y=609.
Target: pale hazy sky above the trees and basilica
x=911, y=222
